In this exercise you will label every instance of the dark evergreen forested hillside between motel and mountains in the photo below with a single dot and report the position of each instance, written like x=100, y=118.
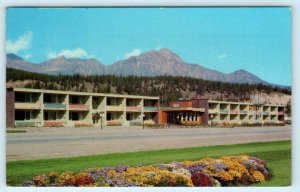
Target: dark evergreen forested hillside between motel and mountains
x=168, y=87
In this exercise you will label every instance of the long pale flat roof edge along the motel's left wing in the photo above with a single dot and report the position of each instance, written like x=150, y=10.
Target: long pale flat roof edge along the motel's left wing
x=84, y=93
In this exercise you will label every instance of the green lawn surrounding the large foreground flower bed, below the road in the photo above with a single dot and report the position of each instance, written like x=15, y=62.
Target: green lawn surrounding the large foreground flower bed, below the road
x=278, y=155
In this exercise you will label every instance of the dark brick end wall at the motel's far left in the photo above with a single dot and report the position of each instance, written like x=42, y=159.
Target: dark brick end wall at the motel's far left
x=10, y=108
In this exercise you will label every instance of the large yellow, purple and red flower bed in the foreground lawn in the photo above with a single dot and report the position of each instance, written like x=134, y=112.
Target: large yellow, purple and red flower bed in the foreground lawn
x=226, y=171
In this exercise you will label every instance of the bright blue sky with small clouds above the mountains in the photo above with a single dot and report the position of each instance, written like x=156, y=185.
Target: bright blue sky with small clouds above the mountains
x=226, y=39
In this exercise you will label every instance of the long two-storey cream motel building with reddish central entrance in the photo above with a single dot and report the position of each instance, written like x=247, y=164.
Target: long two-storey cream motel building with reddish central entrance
x=51, y=108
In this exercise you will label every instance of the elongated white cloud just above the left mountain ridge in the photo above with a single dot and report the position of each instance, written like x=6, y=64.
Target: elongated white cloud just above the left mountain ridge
x=75, y=53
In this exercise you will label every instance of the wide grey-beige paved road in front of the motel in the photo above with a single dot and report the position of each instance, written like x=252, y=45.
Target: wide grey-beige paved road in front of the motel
x=40, y=143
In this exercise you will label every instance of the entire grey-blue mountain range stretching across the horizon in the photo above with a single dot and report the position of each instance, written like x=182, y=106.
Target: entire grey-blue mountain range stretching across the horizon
x=151, y=63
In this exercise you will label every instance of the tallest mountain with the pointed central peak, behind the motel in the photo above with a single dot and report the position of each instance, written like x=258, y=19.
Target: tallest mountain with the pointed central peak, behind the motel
x=162, y=62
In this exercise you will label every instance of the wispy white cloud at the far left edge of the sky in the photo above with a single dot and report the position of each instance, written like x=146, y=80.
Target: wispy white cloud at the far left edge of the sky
x=22, y=43
